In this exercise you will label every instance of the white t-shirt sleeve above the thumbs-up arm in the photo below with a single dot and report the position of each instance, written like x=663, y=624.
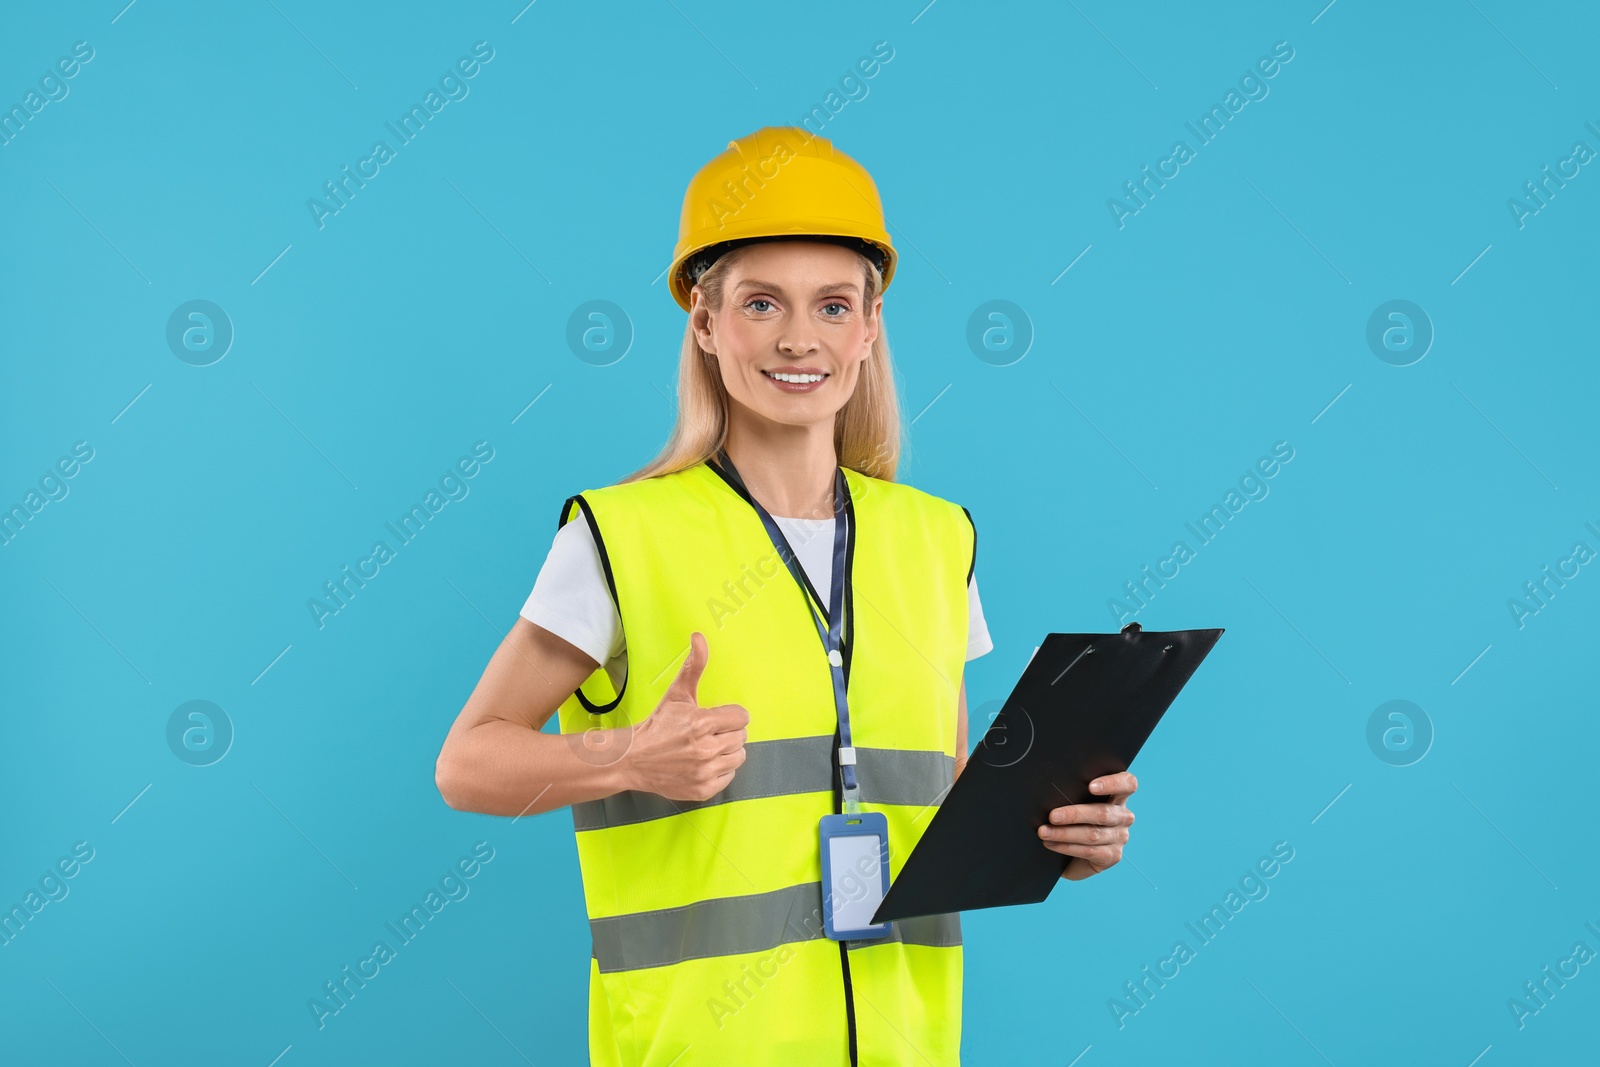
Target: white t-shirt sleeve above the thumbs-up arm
x=570, y=596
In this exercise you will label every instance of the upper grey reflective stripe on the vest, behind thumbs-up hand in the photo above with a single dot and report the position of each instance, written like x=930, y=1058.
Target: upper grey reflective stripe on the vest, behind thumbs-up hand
x=780, y=769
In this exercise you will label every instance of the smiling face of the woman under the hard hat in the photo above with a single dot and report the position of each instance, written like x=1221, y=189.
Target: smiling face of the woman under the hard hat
x=793, y=334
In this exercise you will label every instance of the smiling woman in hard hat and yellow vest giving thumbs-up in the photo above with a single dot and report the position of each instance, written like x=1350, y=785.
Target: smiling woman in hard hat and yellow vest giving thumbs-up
x=822, y=615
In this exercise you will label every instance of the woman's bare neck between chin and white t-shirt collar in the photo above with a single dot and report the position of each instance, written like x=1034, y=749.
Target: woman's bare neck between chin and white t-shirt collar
x=788, y=470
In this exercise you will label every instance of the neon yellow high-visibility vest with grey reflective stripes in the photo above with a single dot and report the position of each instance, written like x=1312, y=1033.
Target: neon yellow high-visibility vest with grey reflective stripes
x=708, y=916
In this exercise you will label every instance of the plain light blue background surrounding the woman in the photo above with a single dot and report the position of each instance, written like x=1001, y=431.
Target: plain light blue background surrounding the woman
x=428, y=314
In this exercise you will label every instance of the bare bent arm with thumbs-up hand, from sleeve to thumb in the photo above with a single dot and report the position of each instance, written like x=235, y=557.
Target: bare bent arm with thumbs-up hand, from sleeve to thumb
x=495, y=759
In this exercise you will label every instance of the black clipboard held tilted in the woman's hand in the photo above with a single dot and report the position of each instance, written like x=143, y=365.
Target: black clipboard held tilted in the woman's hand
x=1084, y=708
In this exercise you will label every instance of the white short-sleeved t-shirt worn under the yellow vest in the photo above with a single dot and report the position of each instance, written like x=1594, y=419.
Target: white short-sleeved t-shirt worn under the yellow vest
x=572, y=599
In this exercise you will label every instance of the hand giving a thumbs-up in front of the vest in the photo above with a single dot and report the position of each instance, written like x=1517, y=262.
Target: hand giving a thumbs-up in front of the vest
x=686, y=751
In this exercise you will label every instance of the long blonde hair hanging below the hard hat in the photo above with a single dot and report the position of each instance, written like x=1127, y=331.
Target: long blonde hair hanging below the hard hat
x=866, y=430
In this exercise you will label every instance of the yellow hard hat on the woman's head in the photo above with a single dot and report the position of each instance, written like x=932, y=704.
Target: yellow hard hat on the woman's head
x=780, y=182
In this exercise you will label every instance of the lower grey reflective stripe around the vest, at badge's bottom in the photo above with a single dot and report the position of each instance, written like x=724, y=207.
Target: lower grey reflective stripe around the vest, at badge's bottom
x=735, y=925
